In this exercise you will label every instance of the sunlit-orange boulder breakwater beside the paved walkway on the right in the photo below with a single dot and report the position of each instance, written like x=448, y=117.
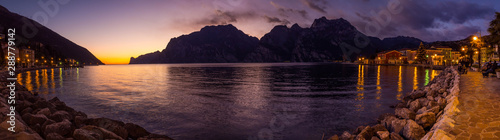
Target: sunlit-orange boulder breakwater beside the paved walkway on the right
x=423, y=114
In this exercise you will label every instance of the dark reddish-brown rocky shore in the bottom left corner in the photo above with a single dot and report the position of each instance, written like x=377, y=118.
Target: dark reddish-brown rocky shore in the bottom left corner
x=38, y=118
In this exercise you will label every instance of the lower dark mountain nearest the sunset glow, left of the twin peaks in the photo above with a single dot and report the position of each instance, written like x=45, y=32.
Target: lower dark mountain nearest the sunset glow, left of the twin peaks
x=212, y=44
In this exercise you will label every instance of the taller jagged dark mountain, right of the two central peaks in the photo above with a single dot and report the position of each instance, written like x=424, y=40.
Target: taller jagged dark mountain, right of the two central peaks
x=322, y=42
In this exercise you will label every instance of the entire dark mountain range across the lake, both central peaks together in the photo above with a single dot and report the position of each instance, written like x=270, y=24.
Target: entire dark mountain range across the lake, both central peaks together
x=326, y=40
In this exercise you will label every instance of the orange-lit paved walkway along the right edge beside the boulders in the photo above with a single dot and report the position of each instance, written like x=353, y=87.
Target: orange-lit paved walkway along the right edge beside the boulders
x=479, y=116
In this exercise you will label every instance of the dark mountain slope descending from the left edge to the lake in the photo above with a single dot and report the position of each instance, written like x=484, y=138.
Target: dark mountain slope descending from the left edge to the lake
x=32, y=31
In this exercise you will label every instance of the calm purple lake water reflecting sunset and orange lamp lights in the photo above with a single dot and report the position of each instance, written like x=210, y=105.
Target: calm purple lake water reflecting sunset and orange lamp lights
x=233, y=101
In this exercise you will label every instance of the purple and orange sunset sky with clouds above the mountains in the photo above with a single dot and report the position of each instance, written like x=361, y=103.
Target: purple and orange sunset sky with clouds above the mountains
x=115, y=30
